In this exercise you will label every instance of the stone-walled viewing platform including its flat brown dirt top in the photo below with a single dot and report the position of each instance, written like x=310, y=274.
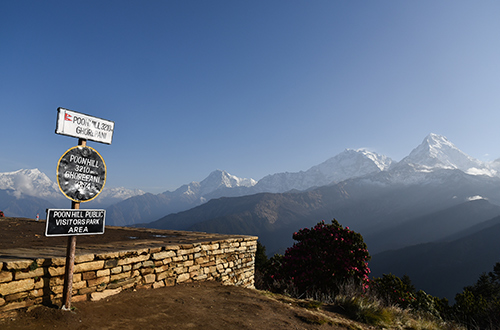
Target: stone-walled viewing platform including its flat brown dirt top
x=32, y=266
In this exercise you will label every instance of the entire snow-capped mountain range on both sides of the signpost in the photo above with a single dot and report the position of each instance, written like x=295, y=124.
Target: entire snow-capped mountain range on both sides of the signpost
x=436, y=155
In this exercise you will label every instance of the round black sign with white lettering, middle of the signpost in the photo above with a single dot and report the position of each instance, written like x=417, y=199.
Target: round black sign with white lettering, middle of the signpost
x=81, y=173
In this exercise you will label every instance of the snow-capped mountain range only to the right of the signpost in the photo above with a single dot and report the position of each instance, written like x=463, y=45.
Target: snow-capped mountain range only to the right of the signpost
x=434, y=154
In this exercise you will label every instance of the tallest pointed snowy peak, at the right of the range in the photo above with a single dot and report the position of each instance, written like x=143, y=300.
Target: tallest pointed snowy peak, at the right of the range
x=437, y=152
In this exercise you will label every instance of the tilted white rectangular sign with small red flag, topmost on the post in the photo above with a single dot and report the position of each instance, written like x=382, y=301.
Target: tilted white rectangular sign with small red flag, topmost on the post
x=79, y=125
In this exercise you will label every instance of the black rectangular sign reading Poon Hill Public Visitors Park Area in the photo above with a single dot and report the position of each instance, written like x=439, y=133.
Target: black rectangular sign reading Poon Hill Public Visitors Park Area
x=68, y=222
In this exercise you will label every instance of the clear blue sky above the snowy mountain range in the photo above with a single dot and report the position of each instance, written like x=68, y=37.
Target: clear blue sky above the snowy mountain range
x=250, y=87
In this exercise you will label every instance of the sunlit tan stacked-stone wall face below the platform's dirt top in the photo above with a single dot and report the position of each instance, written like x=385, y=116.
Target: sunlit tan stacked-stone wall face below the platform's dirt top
x=34, y=281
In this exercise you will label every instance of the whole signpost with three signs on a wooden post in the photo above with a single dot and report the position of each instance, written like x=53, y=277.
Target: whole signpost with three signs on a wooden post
x=81, y=175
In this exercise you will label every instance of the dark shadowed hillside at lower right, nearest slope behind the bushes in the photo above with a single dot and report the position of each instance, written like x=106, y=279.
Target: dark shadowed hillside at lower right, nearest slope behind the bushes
x=443, y=269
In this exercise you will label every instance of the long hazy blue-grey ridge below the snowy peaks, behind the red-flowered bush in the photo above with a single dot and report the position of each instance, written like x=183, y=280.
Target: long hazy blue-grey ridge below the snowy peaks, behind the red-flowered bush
x=365, y=204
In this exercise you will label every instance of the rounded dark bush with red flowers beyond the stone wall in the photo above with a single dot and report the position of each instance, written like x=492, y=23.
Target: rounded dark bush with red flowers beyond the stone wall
x=324, y=258
